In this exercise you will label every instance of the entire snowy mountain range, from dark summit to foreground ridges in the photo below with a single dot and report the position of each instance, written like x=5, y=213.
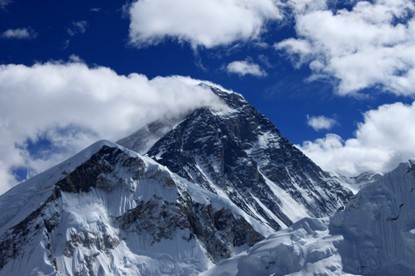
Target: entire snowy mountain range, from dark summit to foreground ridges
x=218, y=191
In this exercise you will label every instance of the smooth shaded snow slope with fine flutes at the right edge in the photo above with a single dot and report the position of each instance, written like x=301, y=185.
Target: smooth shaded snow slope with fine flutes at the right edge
x=379, y=226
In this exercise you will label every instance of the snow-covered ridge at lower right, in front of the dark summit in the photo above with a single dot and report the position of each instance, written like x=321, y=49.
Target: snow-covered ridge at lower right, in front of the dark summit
x=373, y=235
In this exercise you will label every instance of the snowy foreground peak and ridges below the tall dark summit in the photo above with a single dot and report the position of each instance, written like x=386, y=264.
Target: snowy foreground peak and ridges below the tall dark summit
x=94, y=232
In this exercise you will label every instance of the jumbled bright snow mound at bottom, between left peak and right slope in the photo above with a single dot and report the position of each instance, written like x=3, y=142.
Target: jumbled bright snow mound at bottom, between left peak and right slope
x=305, y=248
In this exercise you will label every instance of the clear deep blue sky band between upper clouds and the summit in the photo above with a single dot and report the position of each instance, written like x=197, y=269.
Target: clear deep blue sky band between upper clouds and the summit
x=283, y=95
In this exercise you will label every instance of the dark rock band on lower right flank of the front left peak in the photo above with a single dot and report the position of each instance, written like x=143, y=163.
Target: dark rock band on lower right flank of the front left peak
x=218, y=230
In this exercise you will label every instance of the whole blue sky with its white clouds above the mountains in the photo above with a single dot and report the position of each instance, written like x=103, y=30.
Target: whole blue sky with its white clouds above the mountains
x=338, y=80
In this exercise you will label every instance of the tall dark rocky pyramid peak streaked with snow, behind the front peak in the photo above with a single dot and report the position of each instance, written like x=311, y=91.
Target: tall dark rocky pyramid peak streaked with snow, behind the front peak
x=238, y=153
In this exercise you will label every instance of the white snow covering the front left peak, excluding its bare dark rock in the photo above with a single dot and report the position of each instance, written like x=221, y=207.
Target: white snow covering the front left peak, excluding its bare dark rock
x=87, y=221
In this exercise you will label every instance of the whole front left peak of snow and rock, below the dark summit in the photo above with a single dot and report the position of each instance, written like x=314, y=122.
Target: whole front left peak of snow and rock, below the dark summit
x=111, y=211
